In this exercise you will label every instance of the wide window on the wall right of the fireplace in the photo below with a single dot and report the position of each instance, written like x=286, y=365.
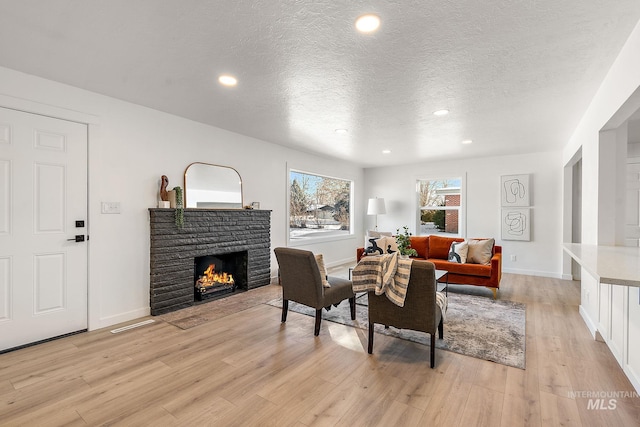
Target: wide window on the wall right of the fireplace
x=319, y=206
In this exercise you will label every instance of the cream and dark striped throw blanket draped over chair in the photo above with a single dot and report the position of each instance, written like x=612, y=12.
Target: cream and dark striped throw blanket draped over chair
x=386, y=274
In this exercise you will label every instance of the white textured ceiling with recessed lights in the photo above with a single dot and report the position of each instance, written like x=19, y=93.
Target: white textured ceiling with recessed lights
x=516, y=75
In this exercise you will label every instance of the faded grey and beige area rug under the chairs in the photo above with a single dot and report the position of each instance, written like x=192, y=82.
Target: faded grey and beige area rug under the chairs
x=475, y=326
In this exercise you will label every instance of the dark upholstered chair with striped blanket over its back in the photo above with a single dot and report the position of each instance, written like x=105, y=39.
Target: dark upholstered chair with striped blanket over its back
x=420, y=311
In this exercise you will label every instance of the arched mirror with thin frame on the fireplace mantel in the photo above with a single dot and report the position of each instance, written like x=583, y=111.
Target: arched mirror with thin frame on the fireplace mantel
x=212, y=187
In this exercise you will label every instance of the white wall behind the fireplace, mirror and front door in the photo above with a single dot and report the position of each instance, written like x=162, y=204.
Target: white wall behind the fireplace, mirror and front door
x=130, y=147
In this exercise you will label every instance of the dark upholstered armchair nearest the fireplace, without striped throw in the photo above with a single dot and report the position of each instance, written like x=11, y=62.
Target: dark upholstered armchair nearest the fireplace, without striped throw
x=301, y=282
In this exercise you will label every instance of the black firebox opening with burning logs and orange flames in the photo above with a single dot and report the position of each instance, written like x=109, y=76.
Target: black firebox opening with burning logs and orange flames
x=216, y=275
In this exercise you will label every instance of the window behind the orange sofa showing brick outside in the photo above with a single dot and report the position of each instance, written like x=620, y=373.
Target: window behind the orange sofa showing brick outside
x=440, y=206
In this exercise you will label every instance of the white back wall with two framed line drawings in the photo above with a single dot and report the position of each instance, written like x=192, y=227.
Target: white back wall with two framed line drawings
x=541, y=256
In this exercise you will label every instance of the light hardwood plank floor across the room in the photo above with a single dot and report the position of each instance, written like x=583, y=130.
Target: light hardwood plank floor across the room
x=243, y=367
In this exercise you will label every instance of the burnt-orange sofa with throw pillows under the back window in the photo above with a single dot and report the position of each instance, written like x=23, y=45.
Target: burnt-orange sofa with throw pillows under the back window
x=435, y=249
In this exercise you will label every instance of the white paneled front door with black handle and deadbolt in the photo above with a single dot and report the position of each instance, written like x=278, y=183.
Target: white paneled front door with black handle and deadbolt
x=43, y=192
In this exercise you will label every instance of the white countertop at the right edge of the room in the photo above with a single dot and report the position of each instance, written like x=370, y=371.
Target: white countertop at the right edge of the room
x=616, y=265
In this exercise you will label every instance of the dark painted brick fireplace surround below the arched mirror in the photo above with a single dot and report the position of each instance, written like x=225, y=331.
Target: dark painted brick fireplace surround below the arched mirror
x=207, y=233
